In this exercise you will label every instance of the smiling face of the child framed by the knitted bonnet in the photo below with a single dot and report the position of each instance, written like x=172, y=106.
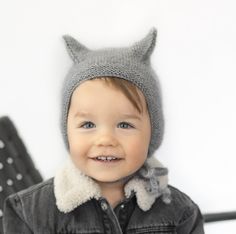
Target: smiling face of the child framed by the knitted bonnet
x=97, y=126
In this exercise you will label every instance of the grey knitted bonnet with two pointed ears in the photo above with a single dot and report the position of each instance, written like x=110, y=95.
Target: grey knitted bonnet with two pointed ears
x=130, y=63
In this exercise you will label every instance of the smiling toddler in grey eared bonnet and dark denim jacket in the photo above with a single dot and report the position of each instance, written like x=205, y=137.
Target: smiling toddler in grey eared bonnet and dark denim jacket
x=112, y=123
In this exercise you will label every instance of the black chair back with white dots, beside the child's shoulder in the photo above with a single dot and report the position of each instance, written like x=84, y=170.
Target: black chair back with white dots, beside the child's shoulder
x=17, y=169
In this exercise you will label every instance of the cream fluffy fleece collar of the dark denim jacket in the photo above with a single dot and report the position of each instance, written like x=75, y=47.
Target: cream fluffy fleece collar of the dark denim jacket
x=72, y=188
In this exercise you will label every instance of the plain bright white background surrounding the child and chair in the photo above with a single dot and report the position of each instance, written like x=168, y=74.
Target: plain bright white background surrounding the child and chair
x=194, y=57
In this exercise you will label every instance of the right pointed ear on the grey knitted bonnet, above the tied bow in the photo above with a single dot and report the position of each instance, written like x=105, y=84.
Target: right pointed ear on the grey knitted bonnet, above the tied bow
x=144, y=48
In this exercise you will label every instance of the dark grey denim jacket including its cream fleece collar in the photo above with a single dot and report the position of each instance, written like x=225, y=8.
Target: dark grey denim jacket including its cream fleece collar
x=71, y=202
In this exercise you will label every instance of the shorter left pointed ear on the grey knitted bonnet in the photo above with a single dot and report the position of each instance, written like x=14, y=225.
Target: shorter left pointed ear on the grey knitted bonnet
x=76, y=50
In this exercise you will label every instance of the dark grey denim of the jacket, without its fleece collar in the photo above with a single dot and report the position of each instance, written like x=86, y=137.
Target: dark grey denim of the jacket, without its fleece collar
x=34, y=211
